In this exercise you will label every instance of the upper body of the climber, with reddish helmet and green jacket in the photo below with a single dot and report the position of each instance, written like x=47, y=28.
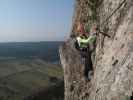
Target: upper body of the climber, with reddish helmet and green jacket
x=85, y=39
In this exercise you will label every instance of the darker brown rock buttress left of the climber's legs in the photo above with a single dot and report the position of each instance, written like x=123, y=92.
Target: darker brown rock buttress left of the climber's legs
x=75, y=86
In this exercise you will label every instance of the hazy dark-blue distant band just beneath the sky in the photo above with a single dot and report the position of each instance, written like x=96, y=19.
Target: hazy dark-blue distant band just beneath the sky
x=47, y=51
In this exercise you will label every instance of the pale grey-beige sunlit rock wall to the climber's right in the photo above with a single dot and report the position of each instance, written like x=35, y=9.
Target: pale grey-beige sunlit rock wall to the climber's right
x=113, y=77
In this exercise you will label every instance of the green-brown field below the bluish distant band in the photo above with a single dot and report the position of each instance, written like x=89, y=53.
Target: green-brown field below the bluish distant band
x=28, y=78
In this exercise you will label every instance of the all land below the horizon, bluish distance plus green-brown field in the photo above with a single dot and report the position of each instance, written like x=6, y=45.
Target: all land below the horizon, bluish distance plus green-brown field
x=29, y=74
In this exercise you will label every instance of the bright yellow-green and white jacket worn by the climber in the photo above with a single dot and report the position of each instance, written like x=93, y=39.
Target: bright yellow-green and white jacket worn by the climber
x=84, y=42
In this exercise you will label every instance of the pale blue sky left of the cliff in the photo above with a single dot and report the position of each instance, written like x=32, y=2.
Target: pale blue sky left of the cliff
x=35, y=20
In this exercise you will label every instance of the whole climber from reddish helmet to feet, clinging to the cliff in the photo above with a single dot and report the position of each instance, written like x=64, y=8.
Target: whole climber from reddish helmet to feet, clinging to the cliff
x=83, y=43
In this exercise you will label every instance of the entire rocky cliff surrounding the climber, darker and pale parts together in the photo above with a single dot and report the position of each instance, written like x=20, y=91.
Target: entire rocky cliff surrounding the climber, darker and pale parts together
x=113, y=66
